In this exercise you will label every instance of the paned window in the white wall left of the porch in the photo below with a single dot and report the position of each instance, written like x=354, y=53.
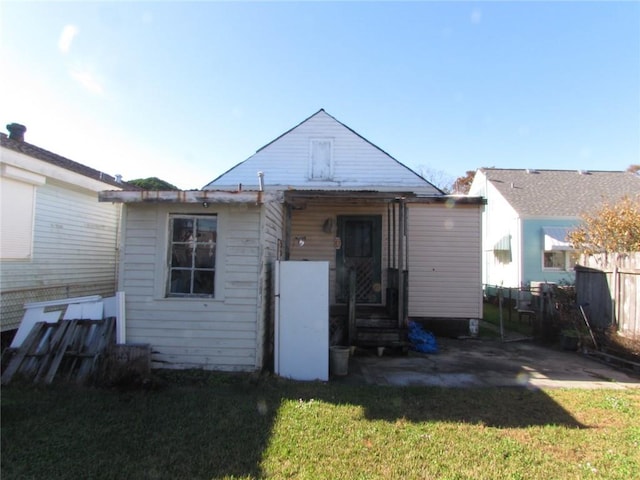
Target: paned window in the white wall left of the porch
x=192, y=255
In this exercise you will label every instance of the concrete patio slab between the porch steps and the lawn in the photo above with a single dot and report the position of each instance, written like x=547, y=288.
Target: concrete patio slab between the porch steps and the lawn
x=467, y=363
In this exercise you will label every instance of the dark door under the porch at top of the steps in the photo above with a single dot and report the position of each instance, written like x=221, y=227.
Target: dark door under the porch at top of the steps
x=360, y=249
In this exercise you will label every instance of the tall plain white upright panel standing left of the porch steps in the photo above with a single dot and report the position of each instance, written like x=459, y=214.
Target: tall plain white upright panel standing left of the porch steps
x=302, y=320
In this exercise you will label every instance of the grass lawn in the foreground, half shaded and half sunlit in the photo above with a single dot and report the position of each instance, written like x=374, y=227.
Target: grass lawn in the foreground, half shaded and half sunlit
x=200, y=425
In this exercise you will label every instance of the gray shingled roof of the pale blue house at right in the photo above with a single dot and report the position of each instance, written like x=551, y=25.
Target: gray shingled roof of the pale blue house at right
x=563, y=193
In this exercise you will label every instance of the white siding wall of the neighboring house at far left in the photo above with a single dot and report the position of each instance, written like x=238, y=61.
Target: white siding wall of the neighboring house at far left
x=74, y=251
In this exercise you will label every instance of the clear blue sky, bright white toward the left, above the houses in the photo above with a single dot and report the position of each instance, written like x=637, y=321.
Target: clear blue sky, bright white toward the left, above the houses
x=184, y=91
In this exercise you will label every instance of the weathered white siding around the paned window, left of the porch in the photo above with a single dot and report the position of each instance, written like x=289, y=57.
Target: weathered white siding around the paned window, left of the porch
x=222, y=333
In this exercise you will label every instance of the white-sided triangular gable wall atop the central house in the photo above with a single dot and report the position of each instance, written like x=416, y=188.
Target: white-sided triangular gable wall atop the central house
x=358, y=164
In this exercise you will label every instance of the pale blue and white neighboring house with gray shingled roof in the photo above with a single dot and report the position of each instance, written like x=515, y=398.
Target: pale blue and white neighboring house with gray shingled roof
x=528, y=215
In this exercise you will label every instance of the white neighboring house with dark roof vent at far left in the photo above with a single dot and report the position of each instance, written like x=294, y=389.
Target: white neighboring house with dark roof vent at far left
x=56, y=239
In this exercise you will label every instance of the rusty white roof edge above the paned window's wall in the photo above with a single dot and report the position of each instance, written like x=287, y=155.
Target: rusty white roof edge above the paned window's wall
x=190, y=196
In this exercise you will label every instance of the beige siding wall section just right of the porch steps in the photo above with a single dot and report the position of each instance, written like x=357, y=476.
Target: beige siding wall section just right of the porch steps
x=444, y=261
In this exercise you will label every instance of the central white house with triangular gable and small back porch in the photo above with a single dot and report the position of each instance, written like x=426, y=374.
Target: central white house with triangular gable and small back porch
x=197, y=266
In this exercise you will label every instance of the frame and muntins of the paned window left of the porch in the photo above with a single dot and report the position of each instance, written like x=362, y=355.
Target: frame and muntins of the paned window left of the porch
x=193, y=268
